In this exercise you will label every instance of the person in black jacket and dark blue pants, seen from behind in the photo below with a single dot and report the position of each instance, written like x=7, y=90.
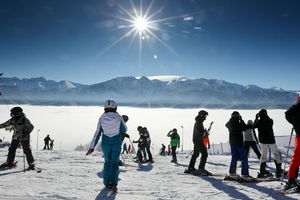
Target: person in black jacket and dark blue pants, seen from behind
x=236, y=126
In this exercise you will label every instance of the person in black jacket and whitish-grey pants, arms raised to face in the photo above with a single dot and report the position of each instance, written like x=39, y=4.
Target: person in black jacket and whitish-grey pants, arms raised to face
x=264, y=124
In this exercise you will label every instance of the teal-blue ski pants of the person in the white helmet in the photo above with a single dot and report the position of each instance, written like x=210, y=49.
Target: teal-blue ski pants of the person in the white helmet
x=111, y=165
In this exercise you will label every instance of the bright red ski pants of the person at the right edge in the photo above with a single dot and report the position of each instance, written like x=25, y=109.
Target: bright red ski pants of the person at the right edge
x=295, y=161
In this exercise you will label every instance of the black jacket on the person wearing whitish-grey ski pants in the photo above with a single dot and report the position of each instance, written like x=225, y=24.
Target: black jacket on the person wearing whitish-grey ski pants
x=265, y=130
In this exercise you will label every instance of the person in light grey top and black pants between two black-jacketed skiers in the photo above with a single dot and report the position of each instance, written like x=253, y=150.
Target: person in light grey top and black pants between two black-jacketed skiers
x=250, y=139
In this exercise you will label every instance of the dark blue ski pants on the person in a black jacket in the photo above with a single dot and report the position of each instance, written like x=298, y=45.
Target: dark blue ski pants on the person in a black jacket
x=236, y=153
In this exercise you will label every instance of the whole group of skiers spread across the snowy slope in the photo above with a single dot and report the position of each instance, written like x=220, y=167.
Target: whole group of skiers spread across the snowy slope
x=111, y=126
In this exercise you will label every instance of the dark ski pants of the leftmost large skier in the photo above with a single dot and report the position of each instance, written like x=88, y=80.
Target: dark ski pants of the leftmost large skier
x=26, y=149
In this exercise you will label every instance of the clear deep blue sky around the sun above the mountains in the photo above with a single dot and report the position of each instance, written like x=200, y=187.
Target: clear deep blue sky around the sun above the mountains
x=246, y=42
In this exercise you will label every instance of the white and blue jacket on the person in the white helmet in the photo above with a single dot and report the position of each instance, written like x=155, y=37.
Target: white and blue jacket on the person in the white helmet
x=112, y=125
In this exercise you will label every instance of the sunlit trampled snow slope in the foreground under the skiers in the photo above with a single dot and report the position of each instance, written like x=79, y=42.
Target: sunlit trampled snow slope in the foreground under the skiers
x=72, y=175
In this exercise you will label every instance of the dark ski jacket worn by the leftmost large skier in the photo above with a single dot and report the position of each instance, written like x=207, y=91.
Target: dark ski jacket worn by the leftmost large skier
x=21, y=128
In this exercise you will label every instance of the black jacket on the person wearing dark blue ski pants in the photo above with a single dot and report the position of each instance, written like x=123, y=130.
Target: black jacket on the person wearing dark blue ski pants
x=236, y=127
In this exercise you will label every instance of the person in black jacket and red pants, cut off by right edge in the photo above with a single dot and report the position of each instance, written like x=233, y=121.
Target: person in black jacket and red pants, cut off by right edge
x=292, y=115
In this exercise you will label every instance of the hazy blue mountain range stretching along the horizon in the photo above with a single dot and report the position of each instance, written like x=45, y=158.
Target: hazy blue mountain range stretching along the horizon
x=151, y=91
